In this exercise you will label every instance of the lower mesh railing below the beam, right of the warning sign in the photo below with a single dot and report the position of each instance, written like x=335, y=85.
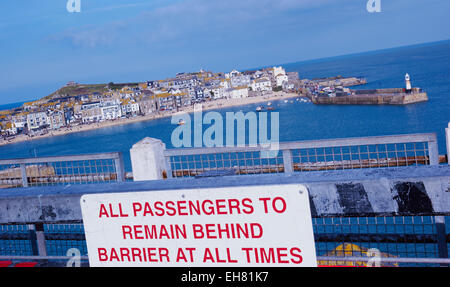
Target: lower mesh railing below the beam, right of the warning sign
x=397, y=240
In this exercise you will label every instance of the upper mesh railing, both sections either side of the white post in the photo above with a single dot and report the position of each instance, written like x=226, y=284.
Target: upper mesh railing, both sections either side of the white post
x=302, y=156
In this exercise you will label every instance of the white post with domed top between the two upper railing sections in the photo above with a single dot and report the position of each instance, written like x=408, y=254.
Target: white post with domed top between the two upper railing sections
x=148, y=161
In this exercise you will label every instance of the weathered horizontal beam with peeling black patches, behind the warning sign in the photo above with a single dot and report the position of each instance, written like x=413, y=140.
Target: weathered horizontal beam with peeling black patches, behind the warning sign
x=386, y=191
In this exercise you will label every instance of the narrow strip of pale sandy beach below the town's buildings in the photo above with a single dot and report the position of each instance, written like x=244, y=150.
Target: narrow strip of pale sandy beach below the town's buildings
x=216, y=104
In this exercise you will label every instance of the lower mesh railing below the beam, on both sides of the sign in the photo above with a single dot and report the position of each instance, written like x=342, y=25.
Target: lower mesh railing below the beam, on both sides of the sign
x=398, y=241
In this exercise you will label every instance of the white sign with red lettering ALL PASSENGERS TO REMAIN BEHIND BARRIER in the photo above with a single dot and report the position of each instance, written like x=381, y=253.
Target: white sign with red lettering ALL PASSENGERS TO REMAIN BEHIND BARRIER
x=236, y=226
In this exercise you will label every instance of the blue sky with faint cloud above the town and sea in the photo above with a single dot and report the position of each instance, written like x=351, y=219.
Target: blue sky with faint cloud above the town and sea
x=42, y=46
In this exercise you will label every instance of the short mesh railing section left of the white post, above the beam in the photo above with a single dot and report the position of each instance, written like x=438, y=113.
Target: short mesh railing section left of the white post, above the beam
x=61, y=170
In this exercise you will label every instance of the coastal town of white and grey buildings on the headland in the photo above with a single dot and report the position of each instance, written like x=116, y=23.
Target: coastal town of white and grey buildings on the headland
x=78, y=107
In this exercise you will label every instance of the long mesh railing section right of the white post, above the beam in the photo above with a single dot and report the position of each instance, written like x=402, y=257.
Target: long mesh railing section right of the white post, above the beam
x=302, y=156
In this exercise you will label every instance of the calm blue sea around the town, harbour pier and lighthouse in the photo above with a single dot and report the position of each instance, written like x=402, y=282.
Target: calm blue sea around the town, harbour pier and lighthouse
x=428, y=65
